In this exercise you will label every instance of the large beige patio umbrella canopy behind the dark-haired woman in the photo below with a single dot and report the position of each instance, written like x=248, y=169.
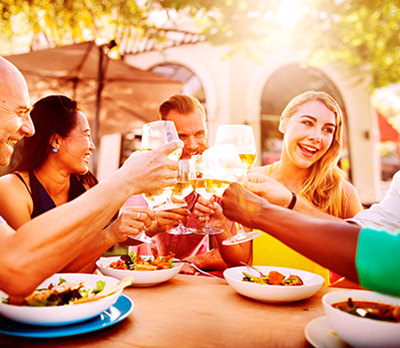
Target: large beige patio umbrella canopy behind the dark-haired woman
x=114, y=95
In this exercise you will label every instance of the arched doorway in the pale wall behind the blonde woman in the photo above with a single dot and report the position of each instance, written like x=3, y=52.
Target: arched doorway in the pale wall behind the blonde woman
x=283, y=85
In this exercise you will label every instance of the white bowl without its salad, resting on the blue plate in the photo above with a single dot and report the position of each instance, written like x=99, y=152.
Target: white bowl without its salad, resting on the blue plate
x=62, y=315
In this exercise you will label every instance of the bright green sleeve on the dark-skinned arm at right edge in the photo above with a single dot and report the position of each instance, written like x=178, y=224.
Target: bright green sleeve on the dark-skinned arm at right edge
x=378, y=261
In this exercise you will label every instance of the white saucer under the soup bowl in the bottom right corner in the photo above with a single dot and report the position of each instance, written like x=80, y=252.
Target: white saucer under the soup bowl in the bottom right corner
x=321, y=335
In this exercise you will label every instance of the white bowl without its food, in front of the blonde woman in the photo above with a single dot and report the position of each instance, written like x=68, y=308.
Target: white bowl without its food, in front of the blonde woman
x=273, y=293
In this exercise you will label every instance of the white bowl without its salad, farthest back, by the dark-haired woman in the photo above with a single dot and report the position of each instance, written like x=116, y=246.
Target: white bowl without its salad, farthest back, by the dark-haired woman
x=141, y=278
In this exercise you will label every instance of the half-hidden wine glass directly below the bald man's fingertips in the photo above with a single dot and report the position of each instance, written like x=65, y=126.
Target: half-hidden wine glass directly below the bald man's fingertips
x=181, y=190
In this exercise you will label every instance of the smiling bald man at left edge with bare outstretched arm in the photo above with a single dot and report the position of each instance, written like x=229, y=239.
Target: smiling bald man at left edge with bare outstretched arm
x=49, y=242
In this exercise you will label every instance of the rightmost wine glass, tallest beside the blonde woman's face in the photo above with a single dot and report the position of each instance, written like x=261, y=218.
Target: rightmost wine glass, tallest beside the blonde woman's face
x=242, y=137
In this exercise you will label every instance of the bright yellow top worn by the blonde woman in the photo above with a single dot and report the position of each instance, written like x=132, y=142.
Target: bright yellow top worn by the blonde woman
x=269, y=251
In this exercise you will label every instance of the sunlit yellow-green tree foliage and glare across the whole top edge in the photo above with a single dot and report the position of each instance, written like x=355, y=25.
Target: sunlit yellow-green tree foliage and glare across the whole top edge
x=364, y=34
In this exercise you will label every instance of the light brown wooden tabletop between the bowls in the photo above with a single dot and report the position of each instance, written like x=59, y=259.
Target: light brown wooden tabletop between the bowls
x=196, y=311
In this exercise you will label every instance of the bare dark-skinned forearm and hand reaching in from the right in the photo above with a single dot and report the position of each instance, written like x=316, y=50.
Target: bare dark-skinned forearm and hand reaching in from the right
x=332, y=245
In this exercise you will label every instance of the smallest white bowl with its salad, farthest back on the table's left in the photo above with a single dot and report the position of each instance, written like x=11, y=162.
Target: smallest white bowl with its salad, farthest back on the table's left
x=147, y=270
